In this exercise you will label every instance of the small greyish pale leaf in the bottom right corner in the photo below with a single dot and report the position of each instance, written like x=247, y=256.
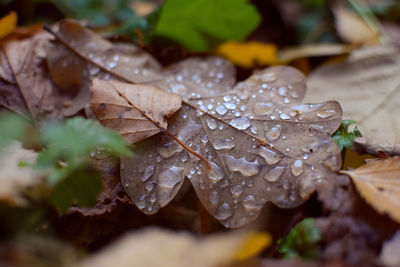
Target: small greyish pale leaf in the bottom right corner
x=389, y=255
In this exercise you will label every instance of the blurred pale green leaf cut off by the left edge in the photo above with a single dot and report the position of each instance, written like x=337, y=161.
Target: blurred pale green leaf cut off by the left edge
x=12, y=127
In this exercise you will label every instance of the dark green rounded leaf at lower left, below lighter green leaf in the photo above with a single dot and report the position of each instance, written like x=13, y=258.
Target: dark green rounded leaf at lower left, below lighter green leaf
x=81, y=186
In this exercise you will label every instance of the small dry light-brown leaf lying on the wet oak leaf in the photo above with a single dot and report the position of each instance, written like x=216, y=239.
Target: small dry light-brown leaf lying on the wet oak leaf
x=134, y=111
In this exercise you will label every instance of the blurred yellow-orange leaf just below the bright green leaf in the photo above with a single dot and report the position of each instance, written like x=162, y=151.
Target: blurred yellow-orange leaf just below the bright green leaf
x=249, y=54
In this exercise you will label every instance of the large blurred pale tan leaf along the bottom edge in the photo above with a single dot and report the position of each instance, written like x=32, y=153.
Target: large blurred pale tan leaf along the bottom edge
x=155, y=247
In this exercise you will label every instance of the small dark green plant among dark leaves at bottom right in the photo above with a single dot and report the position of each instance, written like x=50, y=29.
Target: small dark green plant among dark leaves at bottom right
x=302, y=241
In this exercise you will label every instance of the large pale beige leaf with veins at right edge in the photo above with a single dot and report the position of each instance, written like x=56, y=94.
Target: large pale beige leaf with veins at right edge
x=369, y=77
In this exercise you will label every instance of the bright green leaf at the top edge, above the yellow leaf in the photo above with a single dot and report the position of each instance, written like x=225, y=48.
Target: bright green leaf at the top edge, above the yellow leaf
x=196, y=23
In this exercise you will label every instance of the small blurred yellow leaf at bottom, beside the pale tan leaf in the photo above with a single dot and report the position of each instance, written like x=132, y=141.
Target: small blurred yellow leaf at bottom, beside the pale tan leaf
x=252, y=245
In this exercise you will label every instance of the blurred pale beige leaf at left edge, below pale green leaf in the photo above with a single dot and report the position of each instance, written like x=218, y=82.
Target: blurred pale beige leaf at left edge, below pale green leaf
x=17, y=183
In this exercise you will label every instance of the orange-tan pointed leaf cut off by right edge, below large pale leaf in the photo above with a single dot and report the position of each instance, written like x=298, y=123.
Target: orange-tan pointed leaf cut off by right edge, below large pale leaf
x=378, y=183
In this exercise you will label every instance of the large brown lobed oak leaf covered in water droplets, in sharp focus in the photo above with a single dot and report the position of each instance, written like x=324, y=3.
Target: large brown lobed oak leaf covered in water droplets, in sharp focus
x=256, y=144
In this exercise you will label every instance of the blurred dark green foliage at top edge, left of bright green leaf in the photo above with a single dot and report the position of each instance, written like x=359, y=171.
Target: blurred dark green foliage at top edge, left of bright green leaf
x=99, y=12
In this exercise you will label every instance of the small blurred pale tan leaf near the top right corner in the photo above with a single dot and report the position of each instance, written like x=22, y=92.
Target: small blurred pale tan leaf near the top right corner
x=352, y=28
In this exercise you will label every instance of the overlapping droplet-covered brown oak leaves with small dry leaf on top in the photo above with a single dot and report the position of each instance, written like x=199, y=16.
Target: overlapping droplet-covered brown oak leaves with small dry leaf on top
x=239, y=147
